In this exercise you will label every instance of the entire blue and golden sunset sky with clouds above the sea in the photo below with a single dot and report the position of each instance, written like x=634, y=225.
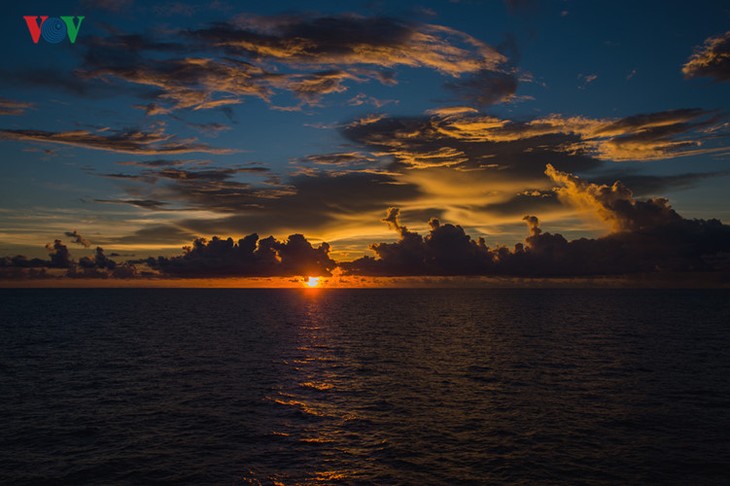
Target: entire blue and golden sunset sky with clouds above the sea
x=431, y=138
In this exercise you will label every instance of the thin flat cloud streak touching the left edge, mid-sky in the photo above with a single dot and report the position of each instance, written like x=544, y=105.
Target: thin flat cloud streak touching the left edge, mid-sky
x=131, y=141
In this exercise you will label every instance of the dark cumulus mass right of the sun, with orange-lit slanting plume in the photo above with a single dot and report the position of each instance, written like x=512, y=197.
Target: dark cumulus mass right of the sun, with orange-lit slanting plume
x=648, y=236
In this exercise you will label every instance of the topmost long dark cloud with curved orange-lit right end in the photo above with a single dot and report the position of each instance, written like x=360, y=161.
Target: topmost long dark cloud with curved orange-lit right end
x=352, y=40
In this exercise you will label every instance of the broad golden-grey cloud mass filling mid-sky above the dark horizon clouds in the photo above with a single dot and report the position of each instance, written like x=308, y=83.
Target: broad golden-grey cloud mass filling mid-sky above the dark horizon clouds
x=454, y=163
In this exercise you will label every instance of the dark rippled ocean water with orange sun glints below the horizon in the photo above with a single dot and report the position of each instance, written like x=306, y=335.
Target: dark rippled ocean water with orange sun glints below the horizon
x=364, y=386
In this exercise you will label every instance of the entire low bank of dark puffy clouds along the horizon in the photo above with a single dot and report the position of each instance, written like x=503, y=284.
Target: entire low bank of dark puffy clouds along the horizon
x=645, y=237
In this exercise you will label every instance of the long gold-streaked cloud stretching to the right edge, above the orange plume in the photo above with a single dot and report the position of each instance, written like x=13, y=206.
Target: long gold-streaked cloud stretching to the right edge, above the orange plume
x=462, y=137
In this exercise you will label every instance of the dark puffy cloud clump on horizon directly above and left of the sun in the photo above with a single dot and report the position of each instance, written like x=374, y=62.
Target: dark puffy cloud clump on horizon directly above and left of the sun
x=248, y=256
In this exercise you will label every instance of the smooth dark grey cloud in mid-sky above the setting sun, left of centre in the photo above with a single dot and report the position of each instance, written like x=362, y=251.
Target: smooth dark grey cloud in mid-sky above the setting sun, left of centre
x=321, y=199
